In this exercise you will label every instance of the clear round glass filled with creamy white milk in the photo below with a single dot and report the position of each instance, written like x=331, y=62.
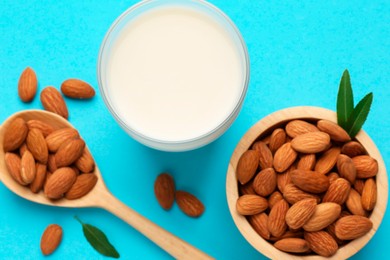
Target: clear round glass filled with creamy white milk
x=173, y=73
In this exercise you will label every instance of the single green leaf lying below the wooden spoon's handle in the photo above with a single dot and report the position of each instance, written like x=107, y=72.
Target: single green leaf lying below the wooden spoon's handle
x=98, y=240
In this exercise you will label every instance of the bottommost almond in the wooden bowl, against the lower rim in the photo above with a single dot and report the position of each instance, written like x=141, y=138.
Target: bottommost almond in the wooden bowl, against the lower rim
x=322, y=243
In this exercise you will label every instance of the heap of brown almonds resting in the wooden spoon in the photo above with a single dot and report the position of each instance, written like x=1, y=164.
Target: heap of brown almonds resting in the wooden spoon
x=42, y=157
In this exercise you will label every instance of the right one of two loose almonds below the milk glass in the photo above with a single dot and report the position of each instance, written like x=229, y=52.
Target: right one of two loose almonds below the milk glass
x=189, y=204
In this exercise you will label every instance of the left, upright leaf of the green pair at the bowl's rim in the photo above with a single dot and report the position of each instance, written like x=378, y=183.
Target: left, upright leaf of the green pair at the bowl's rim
x=344, y=100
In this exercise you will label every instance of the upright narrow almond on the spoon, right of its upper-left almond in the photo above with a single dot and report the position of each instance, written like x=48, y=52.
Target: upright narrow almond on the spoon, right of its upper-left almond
x=36, y=144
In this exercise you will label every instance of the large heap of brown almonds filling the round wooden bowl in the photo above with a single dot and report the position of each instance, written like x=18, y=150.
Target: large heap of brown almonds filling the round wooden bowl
x=307, y=187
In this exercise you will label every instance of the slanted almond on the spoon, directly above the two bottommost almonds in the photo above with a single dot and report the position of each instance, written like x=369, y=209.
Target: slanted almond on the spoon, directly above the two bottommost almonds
x=69, y=152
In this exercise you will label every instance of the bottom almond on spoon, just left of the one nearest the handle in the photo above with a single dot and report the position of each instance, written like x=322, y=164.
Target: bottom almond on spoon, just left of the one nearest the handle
x=59, y=182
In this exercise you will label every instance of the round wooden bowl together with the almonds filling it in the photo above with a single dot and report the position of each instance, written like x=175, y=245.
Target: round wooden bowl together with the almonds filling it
x=321, y=193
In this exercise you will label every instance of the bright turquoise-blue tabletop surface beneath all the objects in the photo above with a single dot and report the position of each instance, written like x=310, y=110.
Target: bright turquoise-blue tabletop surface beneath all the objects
x=298, y=51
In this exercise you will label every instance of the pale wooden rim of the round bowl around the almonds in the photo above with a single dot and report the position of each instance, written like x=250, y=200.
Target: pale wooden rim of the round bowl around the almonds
x=265, y=125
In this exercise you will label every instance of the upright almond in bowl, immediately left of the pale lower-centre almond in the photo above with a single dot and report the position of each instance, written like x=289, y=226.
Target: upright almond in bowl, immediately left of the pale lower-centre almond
x=276, y=219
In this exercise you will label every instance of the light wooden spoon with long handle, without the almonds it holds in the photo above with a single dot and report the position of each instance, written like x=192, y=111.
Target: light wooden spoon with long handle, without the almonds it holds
x=99, y=197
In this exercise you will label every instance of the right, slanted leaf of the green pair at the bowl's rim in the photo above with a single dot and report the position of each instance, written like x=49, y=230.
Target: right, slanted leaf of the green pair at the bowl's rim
x=359, y=115
